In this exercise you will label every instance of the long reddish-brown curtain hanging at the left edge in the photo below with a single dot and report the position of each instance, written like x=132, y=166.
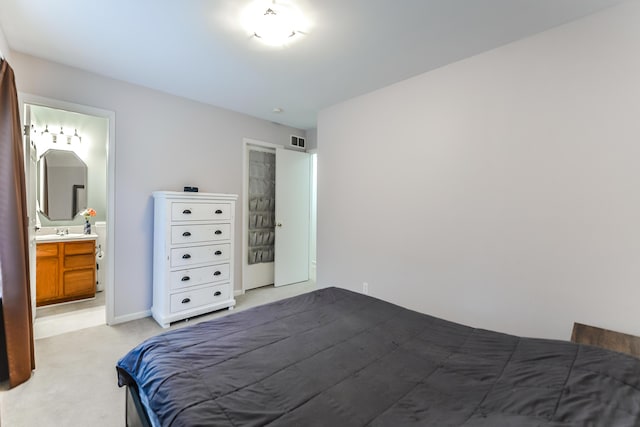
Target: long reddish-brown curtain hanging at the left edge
x=14, y=243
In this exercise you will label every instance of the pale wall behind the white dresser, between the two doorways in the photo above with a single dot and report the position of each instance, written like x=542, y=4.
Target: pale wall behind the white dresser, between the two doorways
x=163, y=142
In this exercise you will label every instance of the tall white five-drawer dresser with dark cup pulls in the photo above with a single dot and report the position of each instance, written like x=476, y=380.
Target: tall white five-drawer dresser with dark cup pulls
x=192, y=254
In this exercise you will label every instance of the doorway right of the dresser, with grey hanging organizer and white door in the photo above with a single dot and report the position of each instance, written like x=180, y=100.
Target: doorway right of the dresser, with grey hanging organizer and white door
x=277, y=226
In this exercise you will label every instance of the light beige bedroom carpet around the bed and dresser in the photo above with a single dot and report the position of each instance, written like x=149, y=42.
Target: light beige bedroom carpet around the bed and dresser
x=75, y=379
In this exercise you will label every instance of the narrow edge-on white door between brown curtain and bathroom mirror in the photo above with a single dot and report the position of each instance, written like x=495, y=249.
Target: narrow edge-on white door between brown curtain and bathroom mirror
x=31, y=174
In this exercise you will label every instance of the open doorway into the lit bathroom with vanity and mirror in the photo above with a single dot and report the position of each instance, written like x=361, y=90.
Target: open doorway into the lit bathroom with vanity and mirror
x=54, y=130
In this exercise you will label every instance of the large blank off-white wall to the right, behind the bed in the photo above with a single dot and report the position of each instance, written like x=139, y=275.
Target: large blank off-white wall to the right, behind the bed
x=501, y=191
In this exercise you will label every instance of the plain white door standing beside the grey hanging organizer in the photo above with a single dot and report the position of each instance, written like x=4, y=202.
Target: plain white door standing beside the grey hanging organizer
x=293, y=181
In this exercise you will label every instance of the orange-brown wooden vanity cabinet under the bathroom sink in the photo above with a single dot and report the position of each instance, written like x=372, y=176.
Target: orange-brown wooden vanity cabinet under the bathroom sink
x=65, y=271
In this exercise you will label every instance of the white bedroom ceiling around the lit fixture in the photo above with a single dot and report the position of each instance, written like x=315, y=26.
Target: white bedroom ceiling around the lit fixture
x=197, y=49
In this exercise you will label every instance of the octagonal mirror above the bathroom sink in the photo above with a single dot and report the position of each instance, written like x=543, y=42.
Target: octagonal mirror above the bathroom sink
x=62, y=184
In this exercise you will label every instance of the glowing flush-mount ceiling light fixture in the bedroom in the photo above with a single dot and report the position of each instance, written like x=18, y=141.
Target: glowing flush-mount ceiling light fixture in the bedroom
x=273, y=23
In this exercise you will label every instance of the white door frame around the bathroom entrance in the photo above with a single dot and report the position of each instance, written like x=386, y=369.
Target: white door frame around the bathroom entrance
x=26, y=98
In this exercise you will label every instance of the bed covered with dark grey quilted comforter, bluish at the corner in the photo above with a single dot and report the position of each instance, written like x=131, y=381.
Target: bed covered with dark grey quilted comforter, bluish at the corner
x=338, y=358
